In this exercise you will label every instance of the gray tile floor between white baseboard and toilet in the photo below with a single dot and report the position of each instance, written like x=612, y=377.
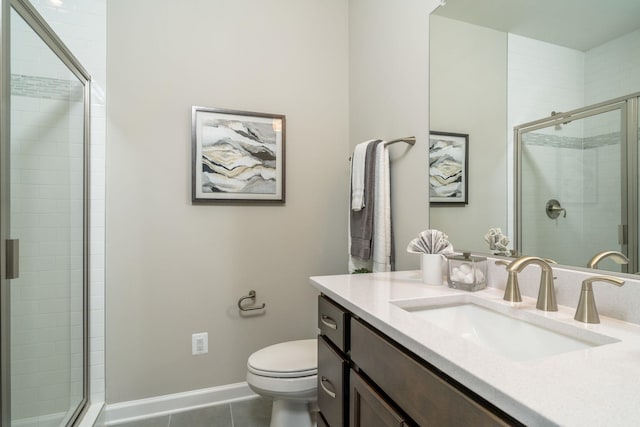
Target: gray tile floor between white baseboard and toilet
x=248, y=413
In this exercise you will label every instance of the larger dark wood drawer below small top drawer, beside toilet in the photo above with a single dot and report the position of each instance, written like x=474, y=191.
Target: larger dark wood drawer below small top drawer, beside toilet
x=332, y=369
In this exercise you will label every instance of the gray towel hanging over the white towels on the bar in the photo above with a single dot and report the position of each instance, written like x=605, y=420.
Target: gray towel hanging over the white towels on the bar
x=361, y=222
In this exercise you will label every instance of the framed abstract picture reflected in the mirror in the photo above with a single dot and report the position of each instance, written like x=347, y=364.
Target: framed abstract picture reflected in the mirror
x=448, y=168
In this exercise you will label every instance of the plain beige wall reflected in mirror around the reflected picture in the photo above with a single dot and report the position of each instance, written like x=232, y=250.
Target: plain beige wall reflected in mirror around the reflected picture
x=468, y=95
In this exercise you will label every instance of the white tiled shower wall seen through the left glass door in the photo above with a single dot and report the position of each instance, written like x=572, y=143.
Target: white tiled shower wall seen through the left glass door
x=46, y=205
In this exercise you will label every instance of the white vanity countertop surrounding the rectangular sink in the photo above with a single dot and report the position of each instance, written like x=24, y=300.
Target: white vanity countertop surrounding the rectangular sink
x=598, y=386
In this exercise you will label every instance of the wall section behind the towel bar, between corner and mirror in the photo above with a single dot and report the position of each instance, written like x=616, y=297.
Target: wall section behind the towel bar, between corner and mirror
x=388, y=95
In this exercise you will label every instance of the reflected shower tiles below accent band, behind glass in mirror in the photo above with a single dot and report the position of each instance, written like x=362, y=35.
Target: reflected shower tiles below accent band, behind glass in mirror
x=587, y=177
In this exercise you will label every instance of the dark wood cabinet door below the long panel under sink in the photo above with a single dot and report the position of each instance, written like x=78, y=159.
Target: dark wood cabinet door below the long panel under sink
x=368, y=408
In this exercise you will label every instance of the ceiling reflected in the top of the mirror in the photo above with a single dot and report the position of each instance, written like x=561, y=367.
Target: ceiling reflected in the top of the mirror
x=577, y=24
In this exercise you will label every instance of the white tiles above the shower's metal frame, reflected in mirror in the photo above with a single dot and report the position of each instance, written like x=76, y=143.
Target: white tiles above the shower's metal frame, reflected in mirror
x=545, y=77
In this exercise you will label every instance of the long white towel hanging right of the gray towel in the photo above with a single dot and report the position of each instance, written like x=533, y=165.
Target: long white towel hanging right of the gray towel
x=382, y=236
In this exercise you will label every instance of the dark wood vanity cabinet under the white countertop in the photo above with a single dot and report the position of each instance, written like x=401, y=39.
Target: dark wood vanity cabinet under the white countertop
x=383, y=384
